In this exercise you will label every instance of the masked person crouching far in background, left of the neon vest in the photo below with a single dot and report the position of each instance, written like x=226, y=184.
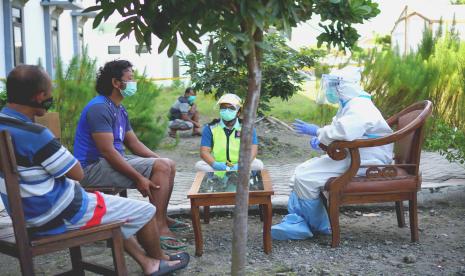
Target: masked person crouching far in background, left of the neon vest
x=184, y=114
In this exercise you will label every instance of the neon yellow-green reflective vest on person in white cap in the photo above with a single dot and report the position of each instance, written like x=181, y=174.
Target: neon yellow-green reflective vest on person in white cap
x=225, y=148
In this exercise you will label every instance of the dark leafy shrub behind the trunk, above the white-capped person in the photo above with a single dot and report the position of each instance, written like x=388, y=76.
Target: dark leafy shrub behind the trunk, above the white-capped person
x=220, y=72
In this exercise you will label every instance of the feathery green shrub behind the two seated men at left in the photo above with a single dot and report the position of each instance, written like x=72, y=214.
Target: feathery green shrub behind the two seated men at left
x=75, y=87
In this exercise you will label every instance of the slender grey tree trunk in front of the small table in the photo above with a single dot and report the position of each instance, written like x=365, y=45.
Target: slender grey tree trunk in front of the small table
x=239, y=246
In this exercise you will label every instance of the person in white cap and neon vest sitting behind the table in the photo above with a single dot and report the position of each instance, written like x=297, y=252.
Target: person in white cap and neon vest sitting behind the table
x=221, y=139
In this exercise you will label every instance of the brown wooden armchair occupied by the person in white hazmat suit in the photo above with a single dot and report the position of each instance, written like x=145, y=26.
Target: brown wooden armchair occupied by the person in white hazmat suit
x=397, y=182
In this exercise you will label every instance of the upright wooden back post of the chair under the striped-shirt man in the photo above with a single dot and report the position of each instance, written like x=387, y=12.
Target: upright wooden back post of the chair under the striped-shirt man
x=9, y=170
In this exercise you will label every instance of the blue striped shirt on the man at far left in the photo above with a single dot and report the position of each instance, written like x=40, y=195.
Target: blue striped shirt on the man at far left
x=47, y=195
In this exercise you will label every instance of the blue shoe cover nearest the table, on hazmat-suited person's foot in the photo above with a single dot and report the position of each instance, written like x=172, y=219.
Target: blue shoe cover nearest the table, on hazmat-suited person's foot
x=293, y=227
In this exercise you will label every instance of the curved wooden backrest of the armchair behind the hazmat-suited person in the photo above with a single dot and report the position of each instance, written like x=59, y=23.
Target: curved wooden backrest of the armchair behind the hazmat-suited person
x=412, y=120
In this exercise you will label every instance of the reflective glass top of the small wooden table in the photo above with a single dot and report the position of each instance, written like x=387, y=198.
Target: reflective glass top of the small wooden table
x=217, y=182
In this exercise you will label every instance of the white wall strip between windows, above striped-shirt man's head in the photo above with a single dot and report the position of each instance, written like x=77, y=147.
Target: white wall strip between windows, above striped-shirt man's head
x=33, y=29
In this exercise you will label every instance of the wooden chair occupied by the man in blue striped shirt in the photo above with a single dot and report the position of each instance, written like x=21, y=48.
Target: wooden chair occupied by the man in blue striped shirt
x=15, y=240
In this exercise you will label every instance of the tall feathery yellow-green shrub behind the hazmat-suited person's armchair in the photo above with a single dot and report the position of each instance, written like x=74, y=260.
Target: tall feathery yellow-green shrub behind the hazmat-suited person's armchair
x=435, y=72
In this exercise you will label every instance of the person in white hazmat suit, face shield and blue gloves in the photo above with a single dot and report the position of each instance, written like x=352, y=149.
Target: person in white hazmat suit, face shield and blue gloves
x=356, y=118
